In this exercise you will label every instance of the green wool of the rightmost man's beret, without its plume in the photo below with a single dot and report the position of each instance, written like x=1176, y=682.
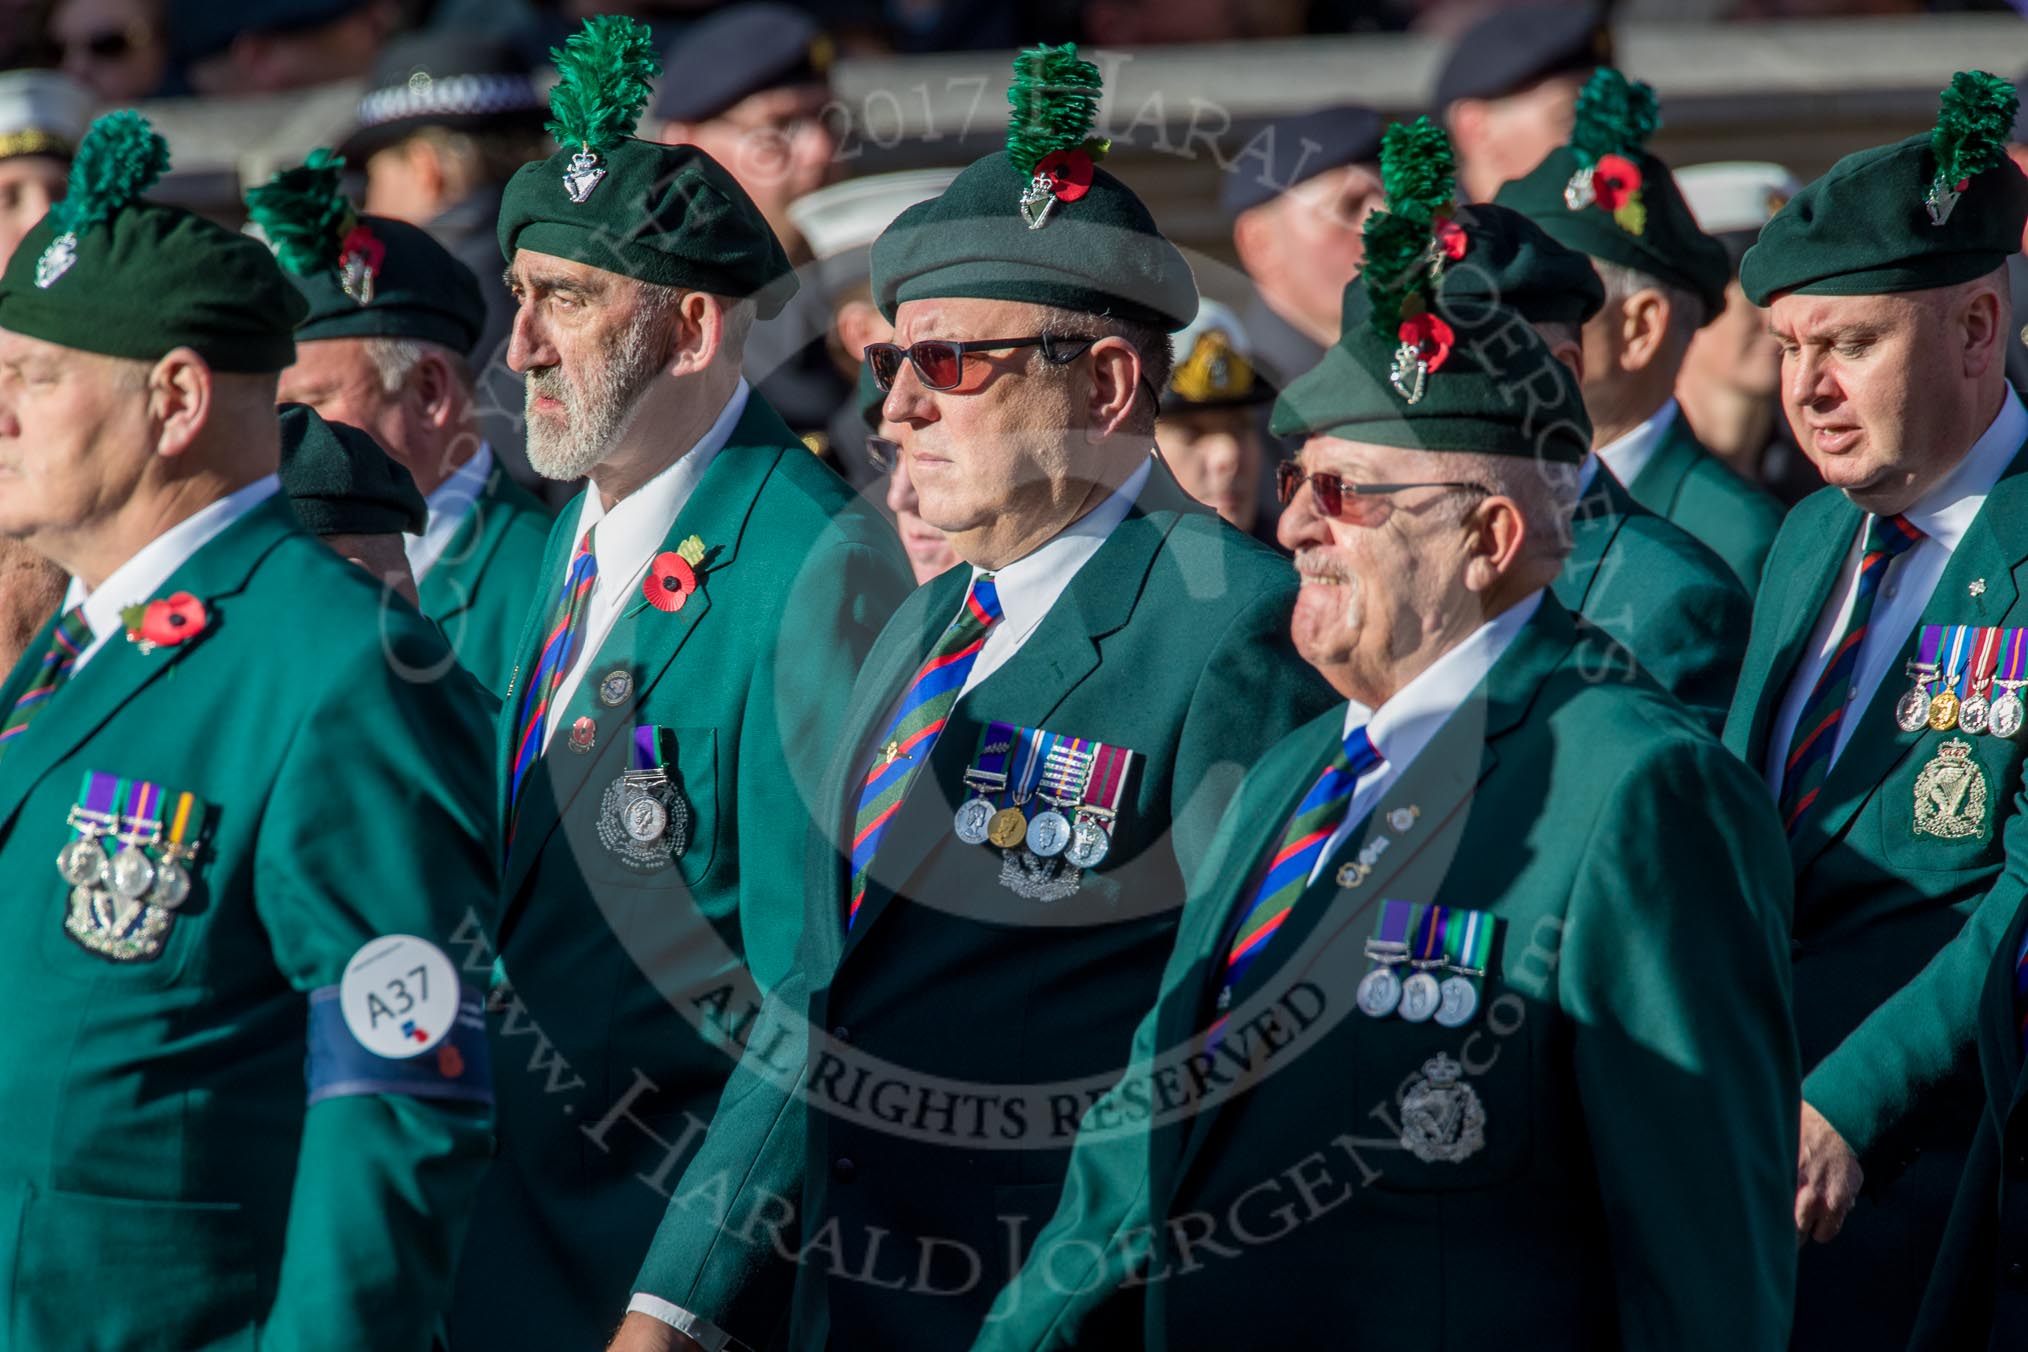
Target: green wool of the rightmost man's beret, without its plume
x=1863, y=230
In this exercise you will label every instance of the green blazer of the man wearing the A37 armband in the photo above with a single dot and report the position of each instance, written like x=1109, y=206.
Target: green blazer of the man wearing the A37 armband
x=163, y=1183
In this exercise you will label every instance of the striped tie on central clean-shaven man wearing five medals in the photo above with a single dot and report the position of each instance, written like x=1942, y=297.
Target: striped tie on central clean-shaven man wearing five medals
x=914, y=731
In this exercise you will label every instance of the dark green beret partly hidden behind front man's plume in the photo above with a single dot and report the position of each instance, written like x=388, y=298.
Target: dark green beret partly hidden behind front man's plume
x=1516, y=262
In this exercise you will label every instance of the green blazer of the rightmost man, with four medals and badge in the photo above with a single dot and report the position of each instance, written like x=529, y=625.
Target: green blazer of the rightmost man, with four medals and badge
x=1881, y=907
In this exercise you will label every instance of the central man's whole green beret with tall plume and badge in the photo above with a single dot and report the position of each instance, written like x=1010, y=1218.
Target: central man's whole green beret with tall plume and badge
x=1039, y=222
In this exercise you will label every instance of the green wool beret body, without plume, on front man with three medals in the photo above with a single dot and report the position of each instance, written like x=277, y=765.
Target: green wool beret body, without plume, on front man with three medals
x=1498, y=392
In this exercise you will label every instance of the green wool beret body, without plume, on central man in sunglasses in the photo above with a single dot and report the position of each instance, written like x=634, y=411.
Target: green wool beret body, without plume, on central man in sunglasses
x=1100, y=254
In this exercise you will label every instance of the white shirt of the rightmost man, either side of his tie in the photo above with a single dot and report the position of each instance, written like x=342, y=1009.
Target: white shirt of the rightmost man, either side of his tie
x=1944, y=514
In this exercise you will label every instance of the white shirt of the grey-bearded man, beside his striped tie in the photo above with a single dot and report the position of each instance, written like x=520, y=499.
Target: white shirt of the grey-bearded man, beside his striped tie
x=630, y=538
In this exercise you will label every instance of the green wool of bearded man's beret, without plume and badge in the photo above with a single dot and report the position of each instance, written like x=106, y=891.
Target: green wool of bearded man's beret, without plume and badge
x=662, y=214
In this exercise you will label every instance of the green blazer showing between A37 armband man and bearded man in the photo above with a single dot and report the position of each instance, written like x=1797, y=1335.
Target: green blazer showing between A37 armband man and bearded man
x=490, y=579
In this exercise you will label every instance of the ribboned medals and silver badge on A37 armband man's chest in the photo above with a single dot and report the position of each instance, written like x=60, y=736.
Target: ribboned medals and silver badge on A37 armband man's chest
x=129, y=867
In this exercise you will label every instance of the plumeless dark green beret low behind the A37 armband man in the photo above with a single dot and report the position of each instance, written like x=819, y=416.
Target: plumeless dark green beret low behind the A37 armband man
x=342, y=481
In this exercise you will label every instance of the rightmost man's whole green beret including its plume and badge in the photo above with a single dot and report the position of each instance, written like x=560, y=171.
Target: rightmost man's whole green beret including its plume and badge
x=1928, y=212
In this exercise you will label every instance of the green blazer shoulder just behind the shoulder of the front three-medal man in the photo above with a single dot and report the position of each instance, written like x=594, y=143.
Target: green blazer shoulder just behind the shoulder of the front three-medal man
x=1672, y=603
